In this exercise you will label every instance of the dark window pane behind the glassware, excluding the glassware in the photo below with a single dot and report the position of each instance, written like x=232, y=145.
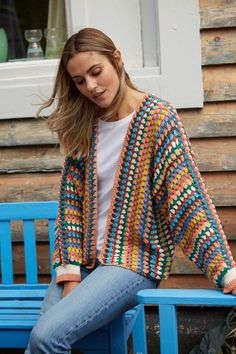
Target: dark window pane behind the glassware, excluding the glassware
x=17, y=16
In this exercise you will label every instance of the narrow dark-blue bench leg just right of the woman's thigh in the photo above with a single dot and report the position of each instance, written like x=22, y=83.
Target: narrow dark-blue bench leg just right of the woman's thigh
x=139, y=333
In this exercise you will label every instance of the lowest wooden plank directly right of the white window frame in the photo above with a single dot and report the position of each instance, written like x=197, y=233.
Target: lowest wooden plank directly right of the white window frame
x=219, y=83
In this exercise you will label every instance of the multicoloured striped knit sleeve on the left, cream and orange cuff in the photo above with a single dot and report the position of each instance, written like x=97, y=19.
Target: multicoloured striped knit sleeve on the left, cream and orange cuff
x=67, y=255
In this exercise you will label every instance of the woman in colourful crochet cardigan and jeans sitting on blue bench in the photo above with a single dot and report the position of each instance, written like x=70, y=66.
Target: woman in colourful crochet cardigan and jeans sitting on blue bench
x=130, y=191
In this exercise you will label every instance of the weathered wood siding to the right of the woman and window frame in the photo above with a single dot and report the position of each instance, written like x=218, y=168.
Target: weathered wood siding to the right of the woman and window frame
x=212, y=129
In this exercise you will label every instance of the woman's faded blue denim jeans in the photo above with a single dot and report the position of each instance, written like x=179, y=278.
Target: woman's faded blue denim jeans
x=102, y=295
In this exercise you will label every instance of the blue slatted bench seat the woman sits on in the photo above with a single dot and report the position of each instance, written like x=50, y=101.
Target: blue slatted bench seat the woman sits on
x=19, y=310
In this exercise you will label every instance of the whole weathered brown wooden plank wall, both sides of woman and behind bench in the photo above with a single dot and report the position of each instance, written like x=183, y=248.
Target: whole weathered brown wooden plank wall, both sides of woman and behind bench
x=30, y=160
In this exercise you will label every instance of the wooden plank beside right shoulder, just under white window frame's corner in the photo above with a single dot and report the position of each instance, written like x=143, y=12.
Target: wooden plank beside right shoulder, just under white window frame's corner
x=213, y=120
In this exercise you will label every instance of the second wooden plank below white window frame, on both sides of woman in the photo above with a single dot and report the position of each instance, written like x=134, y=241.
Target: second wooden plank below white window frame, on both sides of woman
x=212, y=155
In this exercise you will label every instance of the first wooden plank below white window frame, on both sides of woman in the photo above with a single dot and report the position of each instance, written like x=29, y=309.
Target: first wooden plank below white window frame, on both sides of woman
x=214, y=119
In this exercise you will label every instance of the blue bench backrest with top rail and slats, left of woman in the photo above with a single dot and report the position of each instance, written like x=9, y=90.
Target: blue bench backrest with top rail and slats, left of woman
x=28, y=212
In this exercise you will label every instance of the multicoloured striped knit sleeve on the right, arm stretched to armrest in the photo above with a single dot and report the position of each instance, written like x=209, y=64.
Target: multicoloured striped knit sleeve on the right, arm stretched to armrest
x=192, y=218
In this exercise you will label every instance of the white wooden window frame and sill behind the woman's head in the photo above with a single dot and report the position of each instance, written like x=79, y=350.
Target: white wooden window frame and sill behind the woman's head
x=159, y=40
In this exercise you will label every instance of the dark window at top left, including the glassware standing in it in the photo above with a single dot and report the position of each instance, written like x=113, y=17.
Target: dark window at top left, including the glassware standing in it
x=29, y=26
